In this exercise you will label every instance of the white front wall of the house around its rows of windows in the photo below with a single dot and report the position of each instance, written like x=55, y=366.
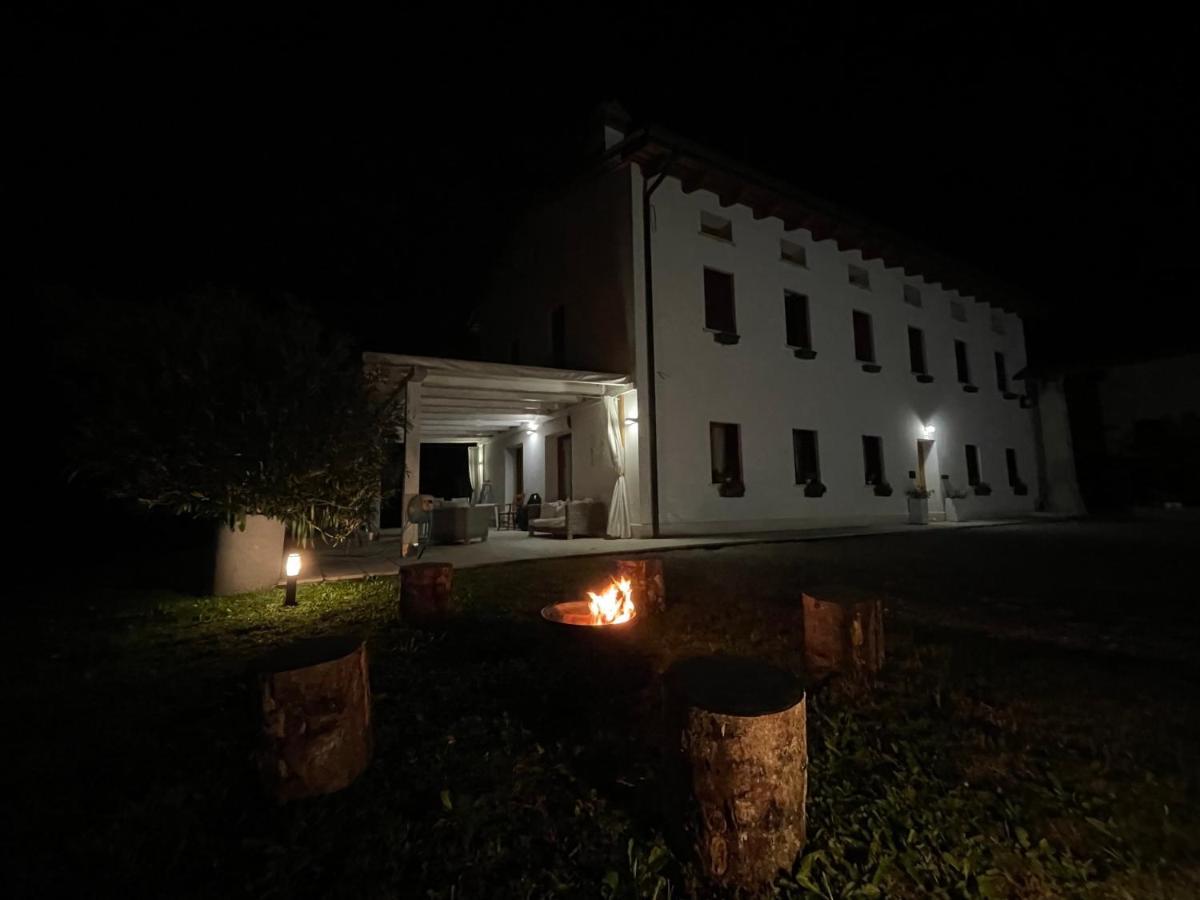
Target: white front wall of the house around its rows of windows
x=760, y=385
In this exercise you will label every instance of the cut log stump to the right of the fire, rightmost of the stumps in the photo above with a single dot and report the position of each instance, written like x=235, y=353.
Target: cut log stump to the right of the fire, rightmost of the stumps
x=843, y=633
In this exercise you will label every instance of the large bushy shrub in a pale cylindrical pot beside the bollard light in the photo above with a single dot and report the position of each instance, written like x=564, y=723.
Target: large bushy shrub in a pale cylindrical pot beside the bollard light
x=242, y=415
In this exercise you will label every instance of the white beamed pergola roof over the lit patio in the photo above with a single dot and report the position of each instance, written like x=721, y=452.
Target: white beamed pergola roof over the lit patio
x=472, y=403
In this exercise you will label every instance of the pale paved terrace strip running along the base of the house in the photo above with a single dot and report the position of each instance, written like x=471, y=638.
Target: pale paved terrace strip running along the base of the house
x=383, y=557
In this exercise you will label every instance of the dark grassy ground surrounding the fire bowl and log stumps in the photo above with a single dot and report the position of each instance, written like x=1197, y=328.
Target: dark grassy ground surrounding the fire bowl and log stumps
x=1034, y=734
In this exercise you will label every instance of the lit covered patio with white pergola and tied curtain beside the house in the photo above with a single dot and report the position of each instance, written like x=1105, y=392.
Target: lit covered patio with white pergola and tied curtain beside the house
x=559, y=434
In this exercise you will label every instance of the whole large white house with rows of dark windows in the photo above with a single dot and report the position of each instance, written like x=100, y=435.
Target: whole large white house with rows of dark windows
x=789, y=343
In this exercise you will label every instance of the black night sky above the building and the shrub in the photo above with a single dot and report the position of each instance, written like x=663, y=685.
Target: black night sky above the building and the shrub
x=371, y=167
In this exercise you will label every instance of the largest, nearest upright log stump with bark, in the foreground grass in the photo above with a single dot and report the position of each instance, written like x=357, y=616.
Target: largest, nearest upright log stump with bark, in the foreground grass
x=742, y=775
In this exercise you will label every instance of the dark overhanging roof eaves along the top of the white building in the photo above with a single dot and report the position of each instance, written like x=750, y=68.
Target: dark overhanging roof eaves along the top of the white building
x=658, y=151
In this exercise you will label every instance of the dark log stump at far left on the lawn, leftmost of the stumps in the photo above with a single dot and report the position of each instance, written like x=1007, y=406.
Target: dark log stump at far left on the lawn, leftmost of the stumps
x=315, y=703
